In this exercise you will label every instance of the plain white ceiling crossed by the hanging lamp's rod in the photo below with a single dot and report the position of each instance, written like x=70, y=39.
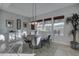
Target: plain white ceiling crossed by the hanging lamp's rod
x=27, y=9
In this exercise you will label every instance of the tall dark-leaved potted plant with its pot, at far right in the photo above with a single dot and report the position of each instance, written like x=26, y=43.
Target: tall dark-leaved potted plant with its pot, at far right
x=74, y=20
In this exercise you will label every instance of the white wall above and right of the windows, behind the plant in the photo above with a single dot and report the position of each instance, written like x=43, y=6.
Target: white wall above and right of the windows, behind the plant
x=66, y=12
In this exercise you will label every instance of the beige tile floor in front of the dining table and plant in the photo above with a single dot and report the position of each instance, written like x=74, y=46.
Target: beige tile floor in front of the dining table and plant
x=57, y=50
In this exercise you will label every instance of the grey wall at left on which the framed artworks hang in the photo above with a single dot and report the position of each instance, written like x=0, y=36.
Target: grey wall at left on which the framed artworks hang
x=10, y=16
